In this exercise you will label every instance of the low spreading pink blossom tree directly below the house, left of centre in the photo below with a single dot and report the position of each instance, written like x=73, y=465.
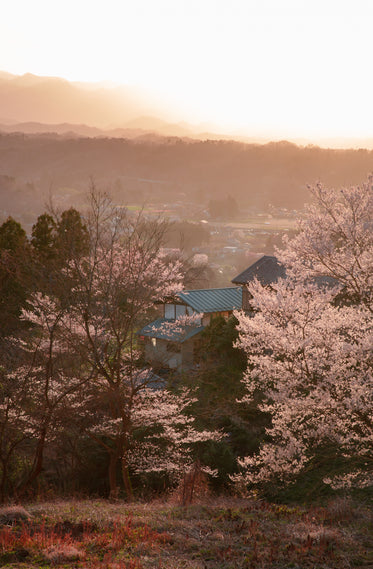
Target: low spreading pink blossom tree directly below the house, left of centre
x=161, y=436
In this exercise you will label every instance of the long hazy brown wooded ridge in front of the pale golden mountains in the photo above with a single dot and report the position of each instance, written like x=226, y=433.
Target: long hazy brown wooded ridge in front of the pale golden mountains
x=172, y=168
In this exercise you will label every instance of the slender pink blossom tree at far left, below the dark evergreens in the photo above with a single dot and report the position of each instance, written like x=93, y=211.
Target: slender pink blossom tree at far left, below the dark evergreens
x=51, y=378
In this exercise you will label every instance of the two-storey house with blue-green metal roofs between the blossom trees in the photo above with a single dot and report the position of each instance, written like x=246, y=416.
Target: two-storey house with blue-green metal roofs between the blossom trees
x=171, y=339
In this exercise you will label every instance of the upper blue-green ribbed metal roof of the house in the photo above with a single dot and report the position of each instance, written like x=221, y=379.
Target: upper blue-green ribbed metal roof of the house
x=212, y=299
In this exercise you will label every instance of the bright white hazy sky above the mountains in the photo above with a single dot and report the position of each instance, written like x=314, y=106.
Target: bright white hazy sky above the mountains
x=281, y=68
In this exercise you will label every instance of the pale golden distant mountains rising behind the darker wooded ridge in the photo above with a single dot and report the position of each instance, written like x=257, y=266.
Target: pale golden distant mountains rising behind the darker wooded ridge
x=34, y=104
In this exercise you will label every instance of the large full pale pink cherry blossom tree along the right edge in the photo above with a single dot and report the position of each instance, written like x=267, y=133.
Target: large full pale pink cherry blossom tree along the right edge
x=309, y=342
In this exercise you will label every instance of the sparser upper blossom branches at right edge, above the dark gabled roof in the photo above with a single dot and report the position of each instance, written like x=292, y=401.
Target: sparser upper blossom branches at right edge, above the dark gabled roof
x=336, y=240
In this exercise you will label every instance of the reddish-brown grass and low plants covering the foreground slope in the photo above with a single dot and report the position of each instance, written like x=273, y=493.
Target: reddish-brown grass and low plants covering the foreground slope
x=220, y=534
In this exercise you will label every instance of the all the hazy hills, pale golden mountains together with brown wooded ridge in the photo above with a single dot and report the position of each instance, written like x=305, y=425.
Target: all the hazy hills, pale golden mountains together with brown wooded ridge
x=56, y=136
